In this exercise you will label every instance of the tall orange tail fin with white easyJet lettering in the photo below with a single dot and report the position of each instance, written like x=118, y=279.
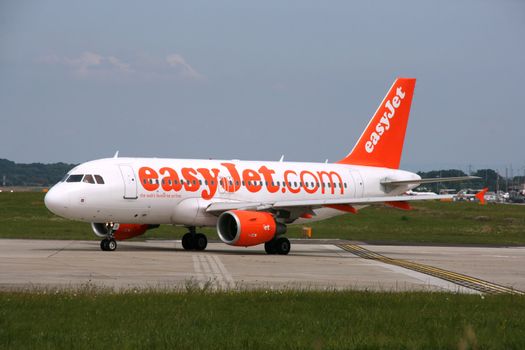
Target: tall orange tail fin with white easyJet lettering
x=381, y=144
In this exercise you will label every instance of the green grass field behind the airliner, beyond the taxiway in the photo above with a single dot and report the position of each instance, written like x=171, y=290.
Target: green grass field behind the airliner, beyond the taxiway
x=23, y=215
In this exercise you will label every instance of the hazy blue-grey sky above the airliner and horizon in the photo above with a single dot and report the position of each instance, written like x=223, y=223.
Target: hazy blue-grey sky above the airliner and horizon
x=257, y=79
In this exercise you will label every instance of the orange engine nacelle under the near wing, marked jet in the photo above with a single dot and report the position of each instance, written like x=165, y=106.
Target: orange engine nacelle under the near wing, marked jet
x=247, y=228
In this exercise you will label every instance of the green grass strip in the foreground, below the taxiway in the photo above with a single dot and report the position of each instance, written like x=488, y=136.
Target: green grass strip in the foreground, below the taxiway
x=260, y=320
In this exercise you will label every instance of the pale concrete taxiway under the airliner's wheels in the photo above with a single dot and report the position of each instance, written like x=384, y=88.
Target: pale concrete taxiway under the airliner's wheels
x=28, y=264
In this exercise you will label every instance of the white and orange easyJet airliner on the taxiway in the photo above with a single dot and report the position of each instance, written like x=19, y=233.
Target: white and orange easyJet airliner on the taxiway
x=249, y=202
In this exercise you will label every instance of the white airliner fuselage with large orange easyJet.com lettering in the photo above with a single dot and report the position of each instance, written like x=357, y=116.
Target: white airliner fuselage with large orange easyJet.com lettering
x=150, y=190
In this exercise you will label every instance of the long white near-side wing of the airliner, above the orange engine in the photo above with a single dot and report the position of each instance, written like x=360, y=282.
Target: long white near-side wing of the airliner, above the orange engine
x=219, y=207
